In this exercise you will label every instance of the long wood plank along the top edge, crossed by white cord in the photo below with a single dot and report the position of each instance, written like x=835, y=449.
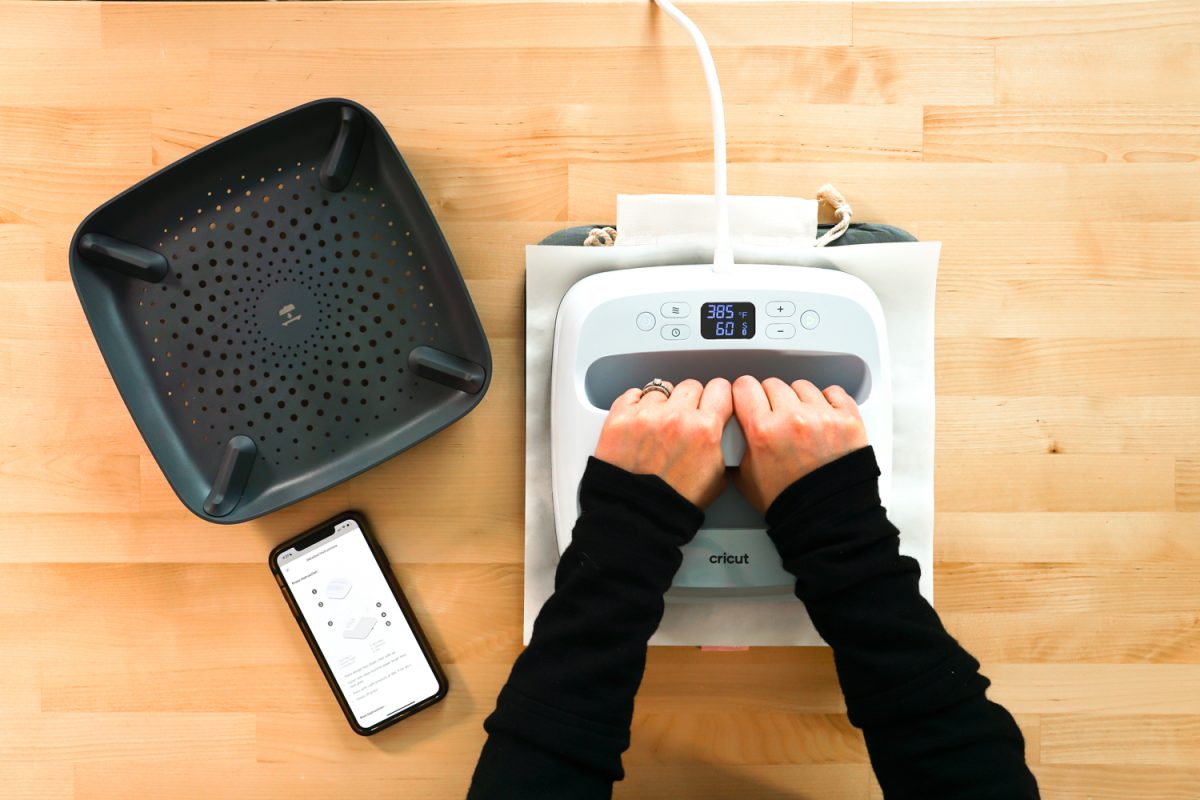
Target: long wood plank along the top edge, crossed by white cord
x=451, y=26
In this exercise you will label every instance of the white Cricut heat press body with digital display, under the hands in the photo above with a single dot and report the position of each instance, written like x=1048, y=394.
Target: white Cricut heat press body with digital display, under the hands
x=619, y=330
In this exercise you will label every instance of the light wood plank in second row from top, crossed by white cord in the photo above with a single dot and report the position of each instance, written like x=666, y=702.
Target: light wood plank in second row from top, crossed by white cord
x=765, y=75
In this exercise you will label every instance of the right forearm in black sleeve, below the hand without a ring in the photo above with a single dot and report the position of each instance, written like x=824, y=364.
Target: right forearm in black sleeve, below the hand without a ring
x=916, y=694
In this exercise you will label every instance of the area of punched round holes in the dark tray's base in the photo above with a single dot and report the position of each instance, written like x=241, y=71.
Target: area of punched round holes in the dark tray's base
x=289, y=315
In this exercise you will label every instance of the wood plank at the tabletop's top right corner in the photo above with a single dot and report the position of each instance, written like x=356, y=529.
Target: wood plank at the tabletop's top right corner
x=1142, y=22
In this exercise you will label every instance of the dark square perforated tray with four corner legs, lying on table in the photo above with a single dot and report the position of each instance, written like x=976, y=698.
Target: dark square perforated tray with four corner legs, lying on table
x=280, y=311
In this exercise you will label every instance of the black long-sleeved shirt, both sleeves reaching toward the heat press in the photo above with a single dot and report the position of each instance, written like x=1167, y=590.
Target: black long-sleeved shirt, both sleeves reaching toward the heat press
x=563, y=719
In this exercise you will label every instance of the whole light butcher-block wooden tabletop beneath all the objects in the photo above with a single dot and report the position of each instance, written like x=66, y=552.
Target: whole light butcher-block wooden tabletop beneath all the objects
x=1052, y=148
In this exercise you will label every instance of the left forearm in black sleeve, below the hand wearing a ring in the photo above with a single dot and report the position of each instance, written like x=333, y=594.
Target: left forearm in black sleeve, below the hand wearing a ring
x=562, y=721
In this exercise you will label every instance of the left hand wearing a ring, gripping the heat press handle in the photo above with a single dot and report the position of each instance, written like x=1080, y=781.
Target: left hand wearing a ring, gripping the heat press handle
x=676, y=438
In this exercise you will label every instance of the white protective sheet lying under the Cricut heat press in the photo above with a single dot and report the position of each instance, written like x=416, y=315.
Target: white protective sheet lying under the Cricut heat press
x=904, y=278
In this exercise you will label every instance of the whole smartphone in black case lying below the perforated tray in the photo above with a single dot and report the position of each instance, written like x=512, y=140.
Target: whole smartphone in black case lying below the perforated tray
x=362, y=630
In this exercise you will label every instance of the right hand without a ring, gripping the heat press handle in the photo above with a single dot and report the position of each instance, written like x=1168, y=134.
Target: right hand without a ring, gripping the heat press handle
x=790, y=431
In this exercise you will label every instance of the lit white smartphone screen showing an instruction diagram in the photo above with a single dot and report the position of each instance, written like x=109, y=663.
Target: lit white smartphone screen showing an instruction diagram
x=359, y=627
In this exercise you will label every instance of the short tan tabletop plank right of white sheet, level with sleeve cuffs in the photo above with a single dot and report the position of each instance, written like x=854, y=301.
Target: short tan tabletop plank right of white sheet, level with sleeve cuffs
x=1055, y=483
